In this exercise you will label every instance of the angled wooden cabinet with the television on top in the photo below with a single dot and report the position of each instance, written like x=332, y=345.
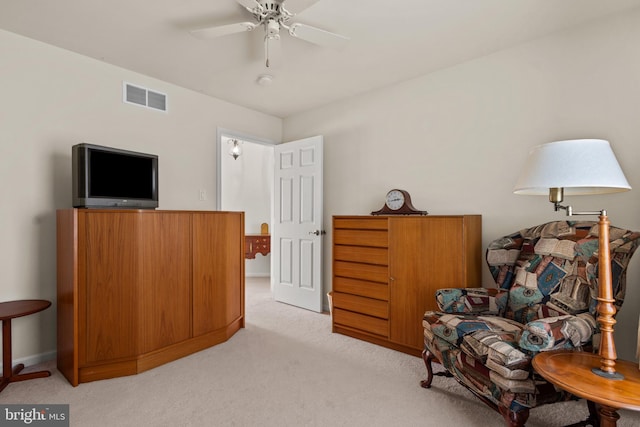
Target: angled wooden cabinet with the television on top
x=137, y=289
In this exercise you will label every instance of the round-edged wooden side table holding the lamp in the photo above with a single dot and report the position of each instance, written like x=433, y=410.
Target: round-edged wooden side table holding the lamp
x=571, y=371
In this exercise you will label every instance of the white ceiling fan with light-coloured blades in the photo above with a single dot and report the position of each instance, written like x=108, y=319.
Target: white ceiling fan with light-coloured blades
x=273, y=16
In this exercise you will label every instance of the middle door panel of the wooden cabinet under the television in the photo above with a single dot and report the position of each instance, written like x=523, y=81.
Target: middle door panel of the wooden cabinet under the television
x=165, y=279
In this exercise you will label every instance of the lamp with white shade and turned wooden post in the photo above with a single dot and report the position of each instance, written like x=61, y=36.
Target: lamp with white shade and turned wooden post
x=581, y=167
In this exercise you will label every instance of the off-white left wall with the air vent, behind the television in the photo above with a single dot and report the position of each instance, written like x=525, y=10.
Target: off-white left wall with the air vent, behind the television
x=51, y=99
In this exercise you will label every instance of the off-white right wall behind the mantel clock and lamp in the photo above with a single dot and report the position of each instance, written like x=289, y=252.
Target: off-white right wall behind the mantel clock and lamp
x=456, y=139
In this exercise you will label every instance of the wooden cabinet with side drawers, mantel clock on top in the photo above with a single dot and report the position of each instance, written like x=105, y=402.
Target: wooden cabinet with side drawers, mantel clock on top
x=386, y=270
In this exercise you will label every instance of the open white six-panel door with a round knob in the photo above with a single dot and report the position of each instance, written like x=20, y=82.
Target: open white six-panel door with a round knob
x=296, y=235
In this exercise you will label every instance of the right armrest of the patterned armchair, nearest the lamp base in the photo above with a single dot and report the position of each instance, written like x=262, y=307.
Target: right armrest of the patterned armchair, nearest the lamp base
x=560, y=332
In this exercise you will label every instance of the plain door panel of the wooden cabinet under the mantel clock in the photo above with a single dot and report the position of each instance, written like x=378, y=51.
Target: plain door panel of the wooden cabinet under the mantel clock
x=425, y=254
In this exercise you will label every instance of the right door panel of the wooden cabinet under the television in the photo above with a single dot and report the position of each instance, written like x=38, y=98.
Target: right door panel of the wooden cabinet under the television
x=218, y=270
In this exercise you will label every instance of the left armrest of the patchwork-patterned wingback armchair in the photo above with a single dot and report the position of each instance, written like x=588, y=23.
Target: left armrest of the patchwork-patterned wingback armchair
x=472, y=300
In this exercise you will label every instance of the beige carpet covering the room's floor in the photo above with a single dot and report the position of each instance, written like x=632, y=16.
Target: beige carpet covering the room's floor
x=285, y=368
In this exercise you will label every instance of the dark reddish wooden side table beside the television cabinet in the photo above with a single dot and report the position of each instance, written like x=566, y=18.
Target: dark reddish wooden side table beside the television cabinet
x=10, y=310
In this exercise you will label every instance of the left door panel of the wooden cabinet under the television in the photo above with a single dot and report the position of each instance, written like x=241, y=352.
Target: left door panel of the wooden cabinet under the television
x=110, y=314
